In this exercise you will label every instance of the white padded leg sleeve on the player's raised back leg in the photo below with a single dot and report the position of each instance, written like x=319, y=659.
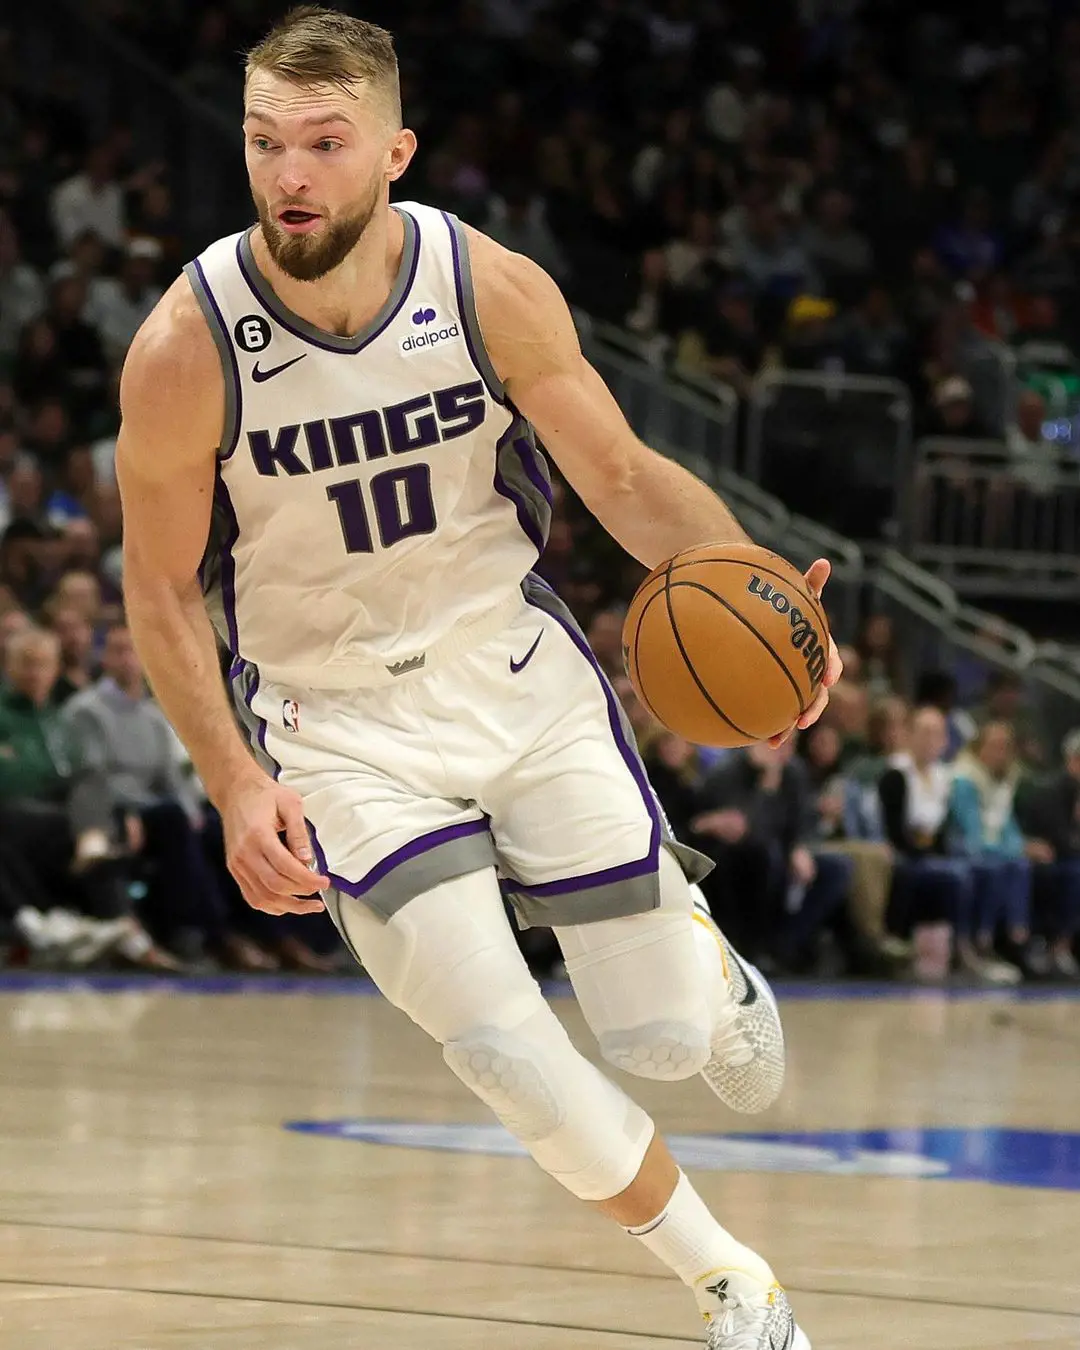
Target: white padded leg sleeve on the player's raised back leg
x=650, y=985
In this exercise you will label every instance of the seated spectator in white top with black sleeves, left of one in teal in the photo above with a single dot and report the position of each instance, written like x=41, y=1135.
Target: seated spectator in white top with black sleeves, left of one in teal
x=934, y=886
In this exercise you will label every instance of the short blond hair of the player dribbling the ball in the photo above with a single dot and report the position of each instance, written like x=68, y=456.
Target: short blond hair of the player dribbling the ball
x=314, y=45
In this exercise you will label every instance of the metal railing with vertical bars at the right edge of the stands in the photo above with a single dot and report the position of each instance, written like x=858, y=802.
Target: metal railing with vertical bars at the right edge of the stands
x=993, y=522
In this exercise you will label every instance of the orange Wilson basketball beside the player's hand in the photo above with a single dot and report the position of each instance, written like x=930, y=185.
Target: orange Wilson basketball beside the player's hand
x=726, y=646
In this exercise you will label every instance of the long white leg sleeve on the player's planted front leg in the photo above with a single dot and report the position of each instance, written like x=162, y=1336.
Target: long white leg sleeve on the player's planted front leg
x=449, y=959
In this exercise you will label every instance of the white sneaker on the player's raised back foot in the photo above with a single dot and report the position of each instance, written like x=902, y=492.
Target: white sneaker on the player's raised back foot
x=747, y=1066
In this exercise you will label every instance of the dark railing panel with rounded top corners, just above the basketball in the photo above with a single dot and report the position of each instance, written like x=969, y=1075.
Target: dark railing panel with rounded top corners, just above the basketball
x=809, y=433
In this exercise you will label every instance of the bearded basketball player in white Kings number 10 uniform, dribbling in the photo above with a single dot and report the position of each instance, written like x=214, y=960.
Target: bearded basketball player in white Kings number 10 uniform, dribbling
x=341, y=400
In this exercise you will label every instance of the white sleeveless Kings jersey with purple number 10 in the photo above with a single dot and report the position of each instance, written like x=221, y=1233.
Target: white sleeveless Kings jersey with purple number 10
x=376, y=495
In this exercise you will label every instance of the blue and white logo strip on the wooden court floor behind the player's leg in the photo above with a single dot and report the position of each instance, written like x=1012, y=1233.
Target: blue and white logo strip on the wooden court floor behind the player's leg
x=1008, y=1158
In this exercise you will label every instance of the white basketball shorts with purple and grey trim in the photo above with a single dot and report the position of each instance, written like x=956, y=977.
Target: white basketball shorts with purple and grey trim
x=515, y=754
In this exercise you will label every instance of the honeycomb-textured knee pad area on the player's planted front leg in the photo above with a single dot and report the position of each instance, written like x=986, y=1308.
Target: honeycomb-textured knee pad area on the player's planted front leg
x=514, y=1077
